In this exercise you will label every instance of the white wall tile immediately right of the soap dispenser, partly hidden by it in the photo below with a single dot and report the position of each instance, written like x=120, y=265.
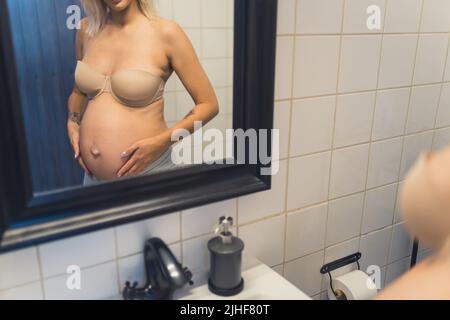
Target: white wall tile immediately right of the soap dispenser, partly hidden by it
x=264, y=240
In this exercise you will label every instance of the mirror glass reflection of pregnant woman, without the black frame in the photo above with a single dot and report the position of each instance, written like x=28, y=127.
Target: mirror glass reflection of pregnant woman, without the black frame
x=106, y=85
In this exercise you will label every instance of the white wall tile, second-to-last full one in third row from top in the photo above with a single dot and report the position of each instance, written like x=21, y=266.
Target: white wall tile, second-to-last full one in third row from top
x=390, y=113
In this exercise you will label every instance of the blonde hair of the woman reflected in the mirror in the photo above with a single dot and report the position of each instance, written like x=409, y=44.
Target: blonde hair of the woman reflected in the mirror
x=97, y=13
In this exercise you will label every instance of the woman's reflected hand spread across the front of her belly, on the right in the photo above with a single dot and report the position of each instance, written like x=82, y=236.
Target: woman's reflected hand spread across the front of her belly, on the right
x=143, y=153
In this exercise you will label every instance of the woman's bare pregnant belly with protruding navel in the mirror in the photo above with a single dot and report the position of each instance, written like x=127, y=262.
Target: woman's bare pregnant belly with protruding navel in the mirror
x=109, y=128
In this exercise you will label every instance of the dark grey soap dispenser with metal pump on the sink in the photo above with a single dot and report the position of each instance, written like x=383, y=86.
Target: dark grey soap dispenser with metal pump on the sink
x=226, y=259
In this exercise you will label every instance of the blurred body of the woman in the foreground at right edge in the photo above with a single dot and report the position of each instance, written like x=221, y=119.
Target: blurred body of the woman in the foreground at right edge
x=425, y=202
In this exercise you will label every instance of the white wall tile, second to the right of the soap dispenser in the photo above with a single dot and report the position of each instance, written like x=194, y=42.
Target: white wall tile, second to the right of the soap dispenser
x=305, y=232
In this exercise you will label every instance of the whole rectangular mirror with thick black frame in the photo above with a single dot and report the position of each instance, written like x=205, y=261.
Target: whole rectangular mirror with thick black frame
x=115, y=111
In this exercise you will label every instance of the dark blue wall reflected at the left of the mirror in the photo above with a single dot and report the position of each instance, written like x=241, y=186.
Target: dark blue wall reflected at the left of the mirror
x=45, y=59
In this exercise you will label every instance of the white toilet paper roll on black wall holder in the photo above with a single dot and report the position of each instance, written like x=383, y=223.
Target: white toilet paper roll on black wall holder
x=355, y=285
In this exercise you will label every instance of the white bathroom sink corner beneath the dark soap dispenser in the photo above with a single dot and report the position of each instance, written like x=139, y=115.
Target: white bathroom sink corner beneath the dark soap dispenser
x=261, y=283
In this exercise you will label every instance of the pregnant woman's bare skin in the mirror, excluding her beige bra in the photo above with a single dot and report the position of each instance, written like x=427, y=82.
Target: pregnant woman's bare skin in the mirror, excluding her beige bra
x=114, y=140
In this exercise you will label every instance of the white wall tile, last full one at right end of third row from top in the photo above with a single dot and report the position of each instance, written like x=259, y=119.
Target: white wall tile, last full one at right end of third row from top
x=423, y=108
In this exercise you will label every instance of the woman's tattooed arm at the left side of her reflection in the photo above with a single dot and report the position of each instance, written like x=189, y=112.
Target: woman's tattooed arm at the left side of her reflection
x=76, y=106
